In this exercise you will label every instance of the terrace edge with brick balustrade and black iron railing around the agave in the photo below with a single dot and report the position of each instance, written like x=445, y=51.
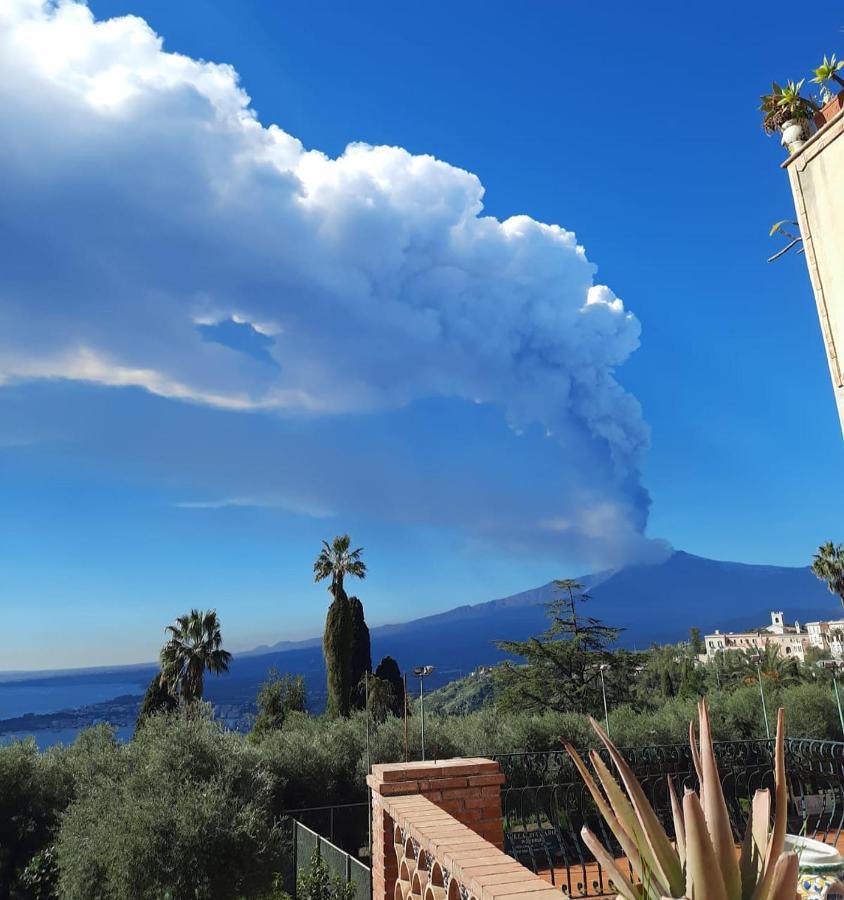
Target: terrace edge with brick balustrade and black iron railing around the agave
x=509, y=825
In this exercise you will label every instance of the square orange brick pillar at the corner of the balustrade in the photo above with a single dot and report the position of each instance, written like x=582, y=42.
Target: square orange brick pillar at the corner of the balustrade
x=467, y=789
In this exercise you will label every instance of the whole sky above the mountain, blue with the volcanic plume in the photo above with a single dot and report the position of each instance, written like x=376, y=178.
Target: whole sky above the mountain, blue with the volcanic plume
x=132, y=489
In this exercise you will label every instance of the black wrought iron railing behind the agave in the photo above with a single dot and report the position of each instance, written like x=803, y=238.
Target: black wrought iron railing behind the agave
x=545, y=803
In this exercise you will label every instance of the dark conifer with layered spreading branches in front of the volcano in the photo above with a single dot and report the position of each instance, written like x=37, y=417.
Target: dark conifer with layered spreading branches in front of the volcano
x=562, y=669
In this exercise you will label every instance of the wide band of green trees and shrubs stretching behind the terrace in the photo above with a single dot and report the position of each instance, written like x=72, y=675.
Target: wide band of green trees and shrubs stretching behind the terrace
x=188, y=810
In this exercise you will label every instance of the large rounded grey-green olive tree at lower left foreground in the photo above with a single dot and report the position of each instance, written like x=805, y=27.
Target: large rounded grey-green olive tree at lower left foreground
x=184, y=810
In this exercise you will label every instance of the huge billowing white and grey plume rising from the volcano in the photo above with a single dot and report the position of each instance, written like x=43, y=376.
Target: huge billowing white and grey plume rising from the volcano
x=143, y=199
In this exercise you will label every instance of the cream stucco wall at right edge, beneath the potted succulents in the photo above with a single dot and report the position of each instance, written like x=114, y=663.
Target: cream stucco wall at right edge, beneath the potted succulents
x=817, y=181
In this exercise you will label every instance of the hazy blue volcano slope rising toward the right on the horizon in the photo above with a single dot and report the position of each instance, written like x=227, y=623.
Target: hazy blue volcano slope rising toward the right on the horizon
x=653, y=603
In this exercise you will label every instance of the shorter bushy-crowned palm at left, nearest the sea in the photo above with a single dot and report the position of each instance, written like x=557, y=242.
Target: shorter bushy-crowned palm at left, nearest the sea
x=195, y=644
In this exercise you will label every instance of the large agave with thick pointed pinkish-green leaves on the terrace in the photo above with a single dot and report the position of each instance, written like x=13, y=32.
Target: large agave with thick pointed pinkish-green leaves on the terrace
x=702, y=862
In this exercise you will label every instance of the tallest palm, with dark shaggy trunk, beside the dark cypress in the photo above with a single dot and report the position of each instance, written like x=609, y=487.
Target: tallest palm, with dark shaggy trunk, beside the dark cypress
x=336, y=561
